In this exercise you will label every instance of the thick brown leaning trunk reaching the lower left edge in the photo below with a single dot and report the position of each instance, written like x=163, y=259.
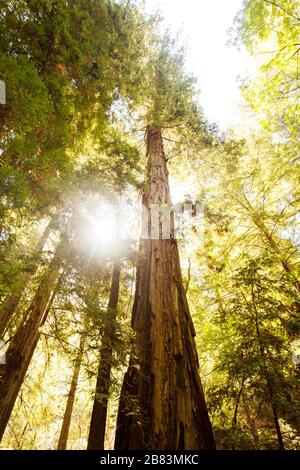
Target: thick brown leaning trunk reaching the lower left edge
x=24, y=342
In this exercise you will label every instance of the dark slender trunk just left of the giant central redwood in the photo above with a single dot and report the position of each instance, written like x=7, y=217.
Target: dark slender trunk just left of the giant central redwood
x=99, y=413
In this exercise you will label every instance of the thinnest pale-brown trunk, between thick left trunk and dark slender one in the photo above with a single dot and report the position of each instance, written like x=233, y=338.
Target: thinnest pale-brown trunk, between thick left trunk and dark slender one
x=64, y=433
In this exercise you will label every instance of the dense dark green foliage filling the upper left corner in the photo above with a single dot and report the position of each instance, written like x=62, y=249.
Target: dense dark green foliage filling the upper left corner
x=64, y=66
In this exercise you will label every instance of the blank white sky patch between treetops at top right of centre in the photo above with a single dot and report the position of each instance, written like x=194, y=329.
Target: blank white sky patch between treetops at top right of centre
x=204, y=25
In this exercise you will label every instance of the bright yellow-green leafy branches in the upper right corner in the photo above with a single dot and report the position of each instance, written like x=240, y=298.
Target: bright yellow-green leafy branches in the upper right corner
x=270, y=30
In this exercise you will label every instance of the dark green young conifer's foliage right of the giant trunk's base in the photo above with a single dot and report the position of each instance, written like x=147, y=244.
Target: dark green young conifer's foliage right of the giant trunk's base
x=252, y=346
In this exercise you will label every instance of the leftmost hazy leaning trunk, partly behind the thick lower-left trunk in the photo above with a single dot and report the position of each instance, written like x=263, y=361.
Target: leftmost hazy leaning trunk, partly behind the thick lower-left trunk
x=11, y=302
